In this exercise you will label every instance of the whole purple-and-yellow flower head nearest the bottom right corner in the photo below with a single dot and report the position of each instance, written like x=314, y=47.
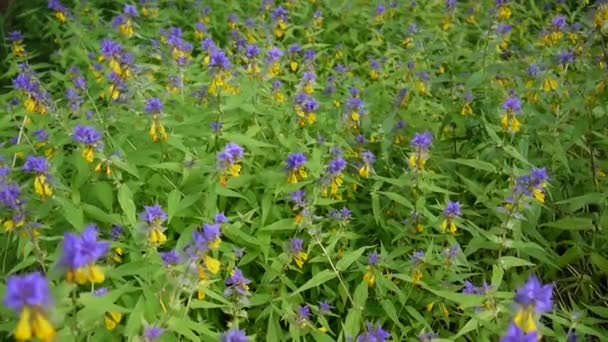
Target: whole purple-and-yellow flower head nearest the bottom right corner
x=534, y=299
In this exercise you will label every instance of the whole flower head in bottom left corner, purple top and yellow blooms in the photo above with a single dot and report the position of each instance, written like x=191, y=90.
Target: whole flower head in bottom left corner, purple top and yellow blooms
x=30, y=296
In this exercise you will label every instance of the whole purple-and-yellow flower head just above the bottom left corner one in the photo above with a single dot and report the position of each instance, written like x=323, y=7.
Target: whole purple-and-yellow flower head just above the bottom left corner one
x=80, y=254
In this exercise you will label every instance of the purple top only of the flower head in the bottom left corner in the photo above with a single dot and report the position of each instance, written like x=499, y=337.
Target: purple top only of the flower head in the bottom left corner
x=29, y=290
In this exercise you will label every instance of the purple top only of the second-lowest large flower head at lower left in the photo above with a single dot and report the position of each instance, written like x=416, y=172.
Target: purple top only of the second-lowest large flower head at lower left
x=83, y=250
